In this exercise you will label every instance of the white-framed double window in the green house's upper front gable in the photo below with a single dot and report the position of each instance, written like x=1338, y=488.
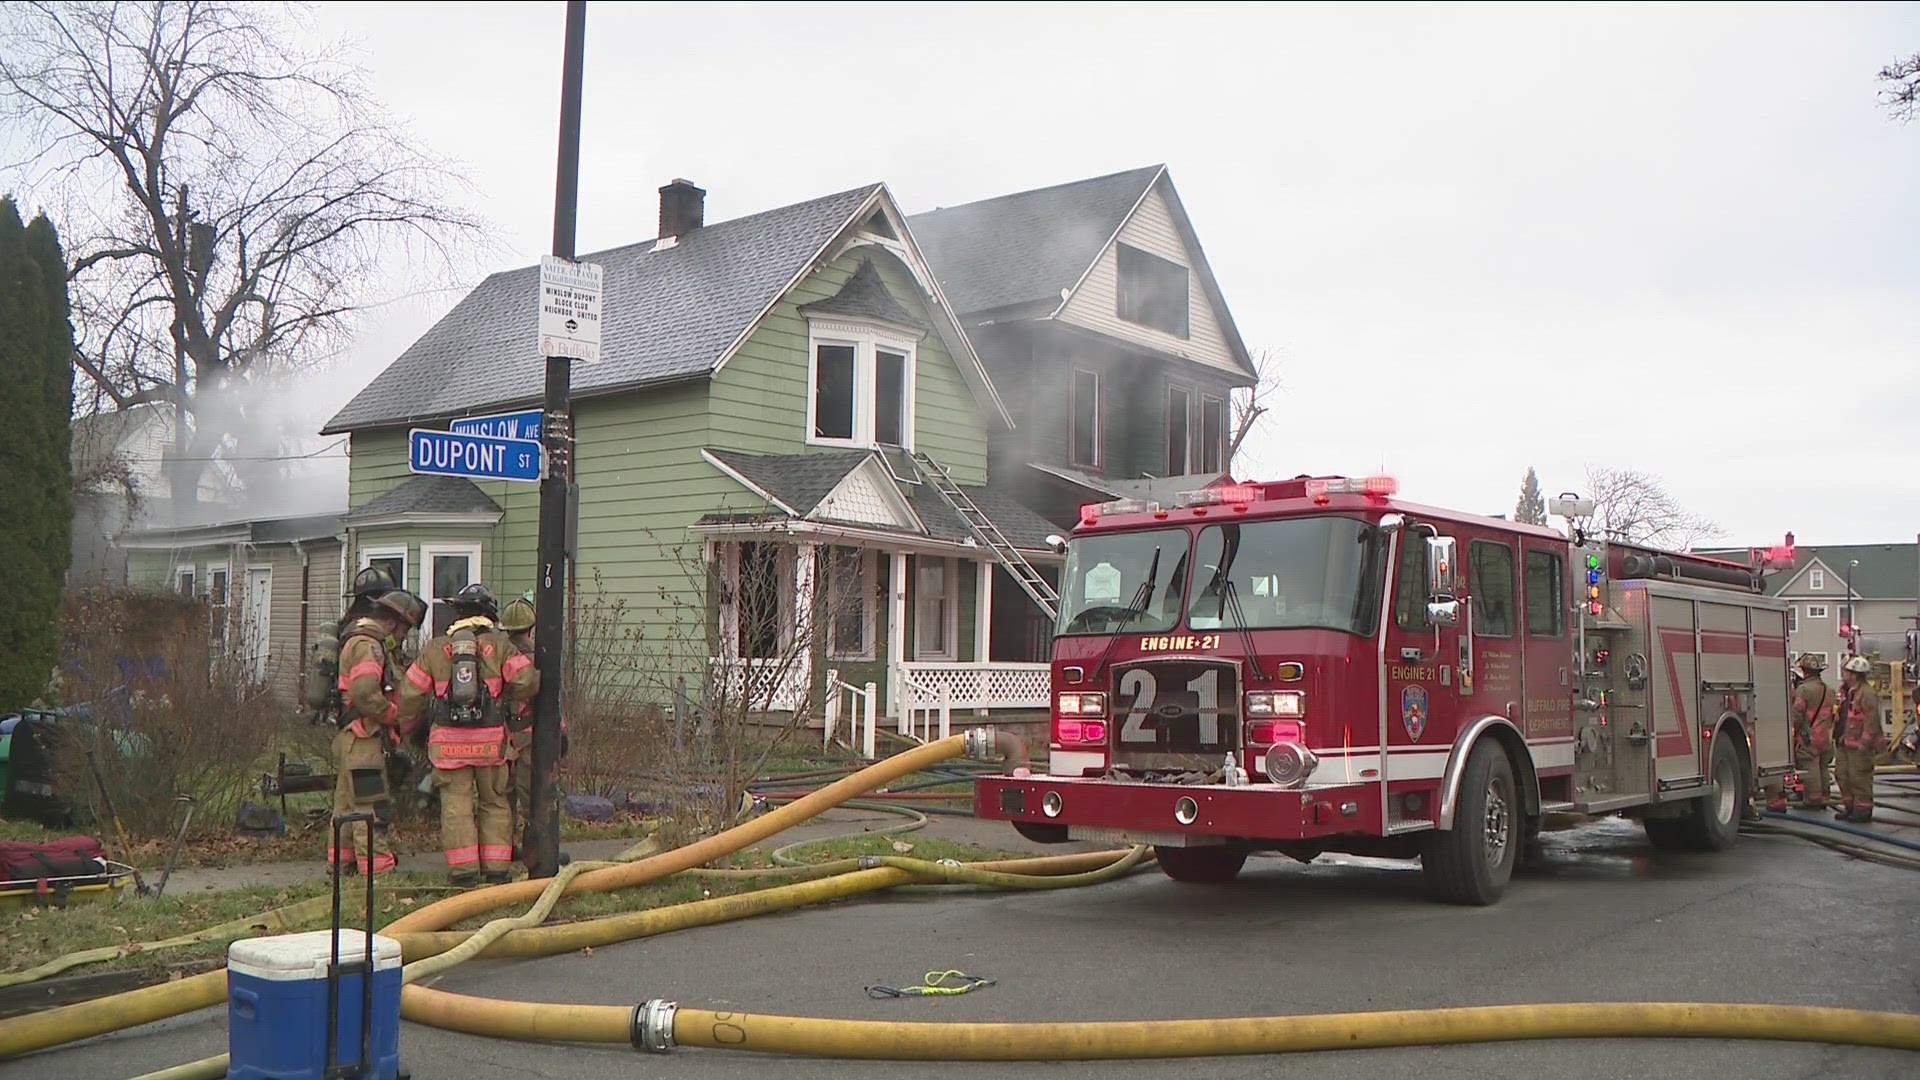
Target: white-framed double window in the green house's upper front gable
x=861, y=385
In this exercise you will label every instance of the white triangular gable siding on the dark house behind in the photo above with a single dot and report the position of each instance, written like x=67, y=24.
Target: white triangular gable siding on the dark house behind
x=1095, y=303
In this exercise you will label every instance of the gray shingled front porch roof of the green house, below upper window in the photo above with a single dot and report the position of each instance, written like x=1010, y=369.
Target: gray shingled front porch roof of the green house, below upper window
x=804, y=479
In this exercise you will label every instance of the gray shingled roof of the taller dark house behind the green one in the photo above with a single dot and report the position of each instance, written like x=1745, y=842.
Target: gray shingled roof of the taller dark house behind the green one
x=1026, y=247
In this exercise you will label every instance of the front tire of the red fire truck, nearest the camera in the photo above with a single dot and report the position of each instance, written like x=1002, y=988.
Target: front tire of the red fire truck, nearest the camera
x=1472, y=862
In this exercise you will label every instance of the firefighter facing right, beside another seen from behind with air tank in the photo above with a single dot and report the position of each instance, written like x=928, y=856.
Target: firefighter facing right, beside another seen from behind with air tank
x=368, y=716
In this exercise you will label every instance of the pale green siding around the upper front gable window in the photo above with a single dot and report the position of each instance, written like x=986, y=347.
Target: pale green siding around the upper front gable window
x=759, y=399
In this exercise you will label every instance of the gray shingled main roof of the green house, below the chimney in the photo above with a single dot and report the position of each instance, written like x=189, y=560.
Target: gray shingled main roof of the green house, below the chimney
x=665, y=316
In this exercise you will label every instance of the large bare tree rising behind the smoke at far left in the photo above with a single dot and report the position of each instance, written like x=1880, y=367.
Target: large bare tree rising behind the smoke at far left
x=228, y=193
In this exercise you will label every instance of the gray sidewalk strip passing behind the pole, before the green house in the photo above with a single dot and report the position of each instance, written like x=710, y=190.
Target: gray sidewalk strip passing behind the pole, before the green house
x=832, y=823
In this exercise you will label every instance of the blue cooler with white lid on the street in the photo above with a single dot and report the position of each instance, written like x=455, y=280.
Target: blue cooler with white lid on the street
x=277, y=1006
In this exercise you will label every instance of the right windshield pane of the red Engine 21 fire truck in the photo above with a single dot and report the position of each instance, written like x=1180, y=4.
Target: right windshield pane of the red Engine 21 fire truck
x=1301, y=572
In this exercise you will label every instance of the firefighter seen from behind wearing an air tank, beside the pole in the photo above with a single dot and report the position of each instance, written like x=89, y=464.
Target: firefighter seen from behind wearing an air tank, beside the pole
x=469, y=679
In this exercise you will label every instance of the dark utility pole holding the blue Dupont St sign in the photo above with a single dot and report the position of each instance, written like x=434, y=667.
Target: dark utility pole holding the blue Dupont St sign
x=550, y=622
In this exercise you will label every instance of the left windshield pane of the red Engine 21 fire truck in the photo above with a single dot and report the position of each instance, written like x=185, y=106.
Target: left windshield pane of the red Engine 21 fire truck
x=1124, y=581
